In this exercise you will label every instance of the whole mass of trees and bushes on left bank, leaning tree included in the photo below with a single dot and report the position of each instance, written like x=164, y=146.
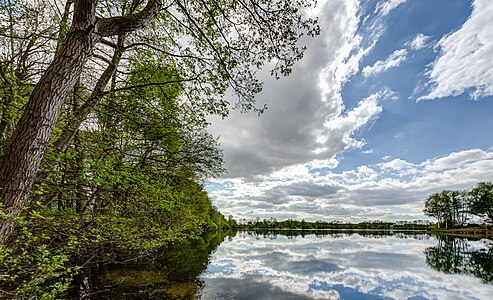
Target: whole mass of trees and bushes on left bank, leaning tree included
x=103, y=118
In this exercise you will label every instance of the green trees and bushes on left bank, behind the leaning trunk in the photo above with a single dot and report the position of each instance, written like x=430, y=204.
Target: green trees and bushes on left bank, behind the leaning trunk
x=124, y=188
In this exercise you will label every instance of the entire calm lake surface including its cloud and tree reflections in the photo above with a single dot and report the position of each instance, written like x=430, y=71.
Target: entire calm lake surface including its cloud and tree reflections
x=306, y=265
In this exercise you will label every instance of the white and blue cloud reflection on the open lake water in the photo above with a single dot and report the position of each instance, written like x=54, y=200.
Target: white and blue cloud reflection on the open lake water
x=339, y=266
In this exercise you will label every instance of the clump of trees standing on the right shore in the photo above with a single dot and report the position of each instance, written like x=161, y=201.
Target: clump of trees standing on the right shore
x=454, y=209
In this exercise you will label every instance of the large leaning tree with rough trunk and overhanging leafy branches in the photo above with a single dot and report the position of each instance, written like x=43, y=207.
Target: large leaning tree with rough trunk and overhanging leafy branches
x=215, y=45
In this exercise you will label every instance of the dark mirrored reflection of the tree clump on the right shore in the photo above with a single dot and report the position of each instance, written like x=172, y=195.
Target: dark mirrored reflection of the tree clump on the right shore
x=457, y=255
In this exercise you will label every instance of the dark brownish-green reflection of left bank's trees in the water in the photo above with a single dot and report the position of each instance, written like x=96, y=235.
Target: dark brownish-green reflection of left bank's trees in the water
x=173, y=274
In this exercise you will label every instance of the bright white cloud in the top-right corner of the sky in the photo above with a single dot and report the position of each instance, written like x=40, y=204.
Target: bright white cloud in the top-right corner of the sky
x=465, y=63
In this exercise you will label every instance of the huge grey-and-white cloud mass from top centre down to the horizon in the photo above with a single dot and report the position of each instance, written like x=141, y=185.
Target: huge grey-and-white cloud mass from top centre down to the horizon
x=282, y=164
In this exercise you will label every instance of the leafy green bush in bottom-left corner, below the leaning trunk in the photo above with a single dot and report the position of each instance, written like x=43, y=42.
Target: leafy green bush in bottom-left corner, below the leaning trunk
x=36, y=265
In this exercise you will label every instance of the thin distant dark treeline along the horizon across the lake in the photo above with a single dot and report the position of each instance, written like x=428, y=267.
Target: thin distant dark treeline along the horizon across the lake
x=295, y=224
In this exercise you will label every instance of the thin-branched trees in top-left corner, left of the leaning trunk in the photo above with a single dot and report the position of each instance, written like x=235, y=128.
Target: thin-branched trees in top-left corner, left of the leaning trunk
x=24, y=45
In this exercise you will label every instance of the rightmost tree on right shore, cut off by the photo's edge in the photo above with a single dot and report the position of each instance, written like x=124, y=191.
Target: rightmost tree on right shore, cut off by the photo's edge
x=481, y=200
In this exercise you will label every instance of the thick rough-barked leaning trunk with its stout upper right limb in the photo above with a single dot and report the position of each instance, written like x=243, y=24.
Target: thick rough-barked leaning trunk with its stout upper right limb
x=33, y=132
